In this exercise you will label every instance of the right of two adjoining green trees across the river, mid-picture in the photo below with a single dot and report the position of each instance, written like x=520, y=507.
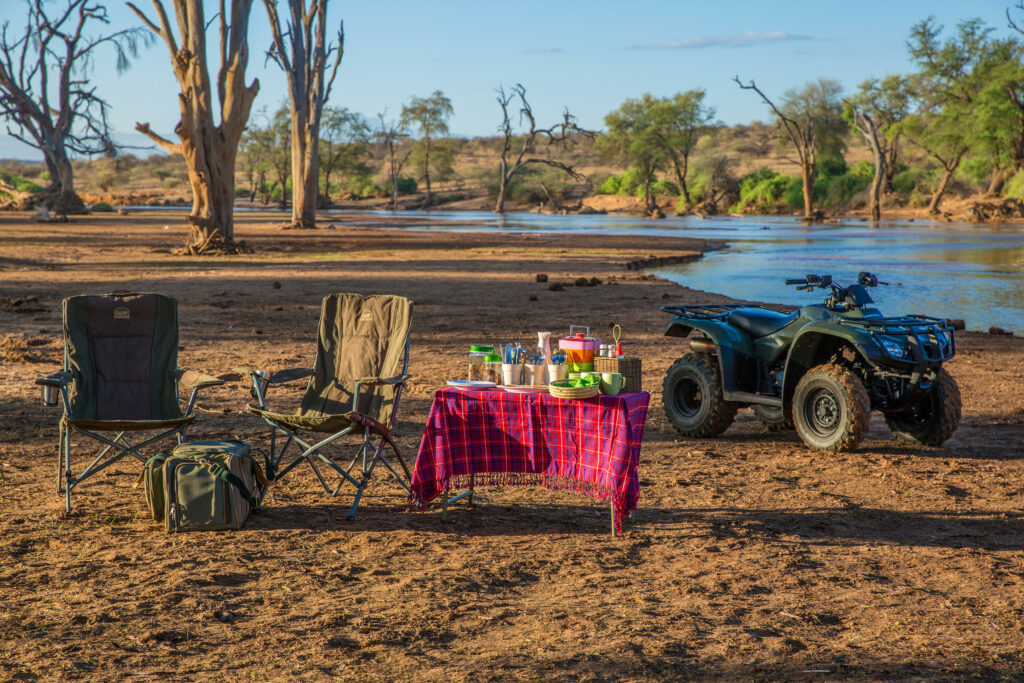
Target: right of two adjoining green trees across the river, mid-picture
x=679, y=122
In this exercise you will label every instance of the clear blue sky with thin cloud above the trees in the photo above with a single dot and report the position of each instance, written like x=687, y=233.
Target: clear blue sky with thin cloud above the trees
x=588, y=57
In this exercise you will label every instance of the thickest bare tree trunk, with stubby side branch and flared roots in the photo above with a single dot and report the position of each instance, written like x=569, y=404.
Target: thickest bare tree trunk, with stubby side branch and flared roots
x=209, y=149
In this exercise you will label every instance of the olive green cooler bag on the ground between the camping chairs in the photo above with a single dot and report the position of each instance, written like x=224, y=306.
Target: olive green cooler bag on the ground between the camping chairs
x=204, y=486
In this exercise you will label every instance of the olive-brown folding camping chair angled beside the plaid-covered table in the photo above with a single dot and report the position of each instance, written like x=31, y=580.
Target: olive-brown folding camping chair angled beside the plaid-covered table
x=354, y=388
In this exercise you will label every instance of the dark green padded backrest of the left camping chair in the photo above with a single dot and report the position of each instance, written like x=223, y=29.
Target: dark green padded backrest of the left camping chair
x=122, y=351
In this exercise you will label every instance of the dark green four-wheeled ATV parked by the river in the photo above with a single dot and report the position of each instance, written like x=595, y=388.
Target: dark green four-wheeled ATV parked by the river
x=822, y=369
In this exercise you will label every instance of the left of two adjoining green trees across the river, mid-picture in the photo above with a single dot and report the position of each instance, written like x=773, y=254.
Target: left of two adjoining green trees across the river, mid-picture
x=633, y=137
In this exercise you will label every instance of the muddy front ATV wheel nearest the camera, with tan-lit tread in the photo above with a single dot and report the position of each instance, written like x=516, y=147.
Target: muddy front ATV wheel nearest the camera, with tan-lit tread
x=831, y=409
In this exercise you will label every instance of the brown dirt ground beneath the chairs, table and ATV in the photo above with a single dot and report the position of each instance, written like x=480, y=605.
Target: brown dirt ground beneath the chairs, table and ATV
x=750, y=557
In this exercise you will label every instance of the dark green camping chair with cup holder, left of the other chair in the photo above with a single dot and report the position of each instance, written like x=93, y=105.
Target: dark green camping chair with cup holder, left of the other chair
x=120, y=375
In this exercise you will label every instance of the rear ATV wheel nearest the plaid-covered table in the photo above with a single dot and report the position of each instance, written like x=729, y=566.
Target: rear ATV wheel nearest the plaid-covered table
x=694, y=398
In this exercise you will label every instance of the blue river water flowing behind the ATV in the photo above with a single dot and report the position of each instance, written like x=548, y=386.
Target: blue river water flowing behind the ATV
x=960, y=271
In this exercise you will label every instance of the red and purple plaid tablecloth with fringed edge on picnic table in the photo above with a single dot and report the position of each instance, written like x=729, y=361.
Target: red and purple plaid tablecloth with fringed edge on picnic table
x=482, y=439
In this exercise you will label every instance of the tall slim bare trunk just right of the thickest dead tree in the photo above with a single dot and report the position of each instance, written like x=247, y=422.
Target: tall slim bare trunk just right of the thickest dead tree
x=303, y=53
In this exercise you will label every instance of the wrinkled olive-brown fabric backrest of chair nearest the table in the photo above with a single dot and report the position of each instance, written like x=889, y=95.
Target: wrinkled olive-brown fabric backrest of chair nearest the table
x=359, y=337
